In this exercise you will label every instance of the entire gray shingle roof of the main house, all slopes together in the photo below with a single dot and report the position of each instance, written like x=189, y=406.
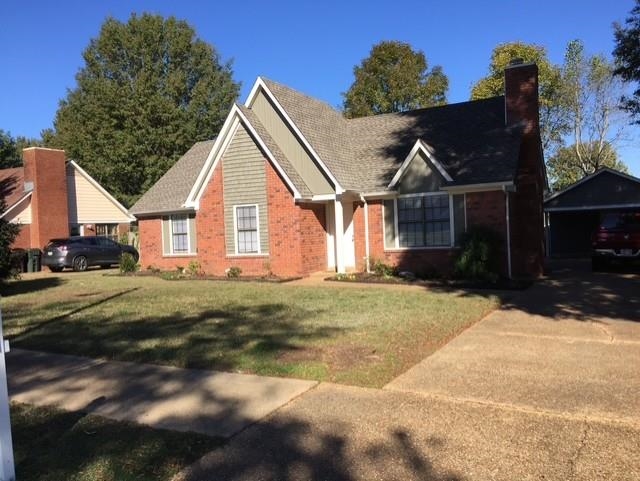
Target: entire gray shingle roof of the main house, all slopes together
x=469, y=139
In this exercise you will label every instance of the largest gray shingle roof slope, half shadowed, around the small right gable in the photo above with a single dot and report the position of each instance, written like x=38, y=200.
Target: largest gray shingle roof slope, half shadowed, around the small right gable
x=469, y=139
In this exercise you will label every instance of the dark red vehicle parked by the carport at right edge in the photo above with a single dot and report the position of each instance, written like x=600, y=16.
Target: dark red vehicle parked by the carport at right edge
x=616, y=240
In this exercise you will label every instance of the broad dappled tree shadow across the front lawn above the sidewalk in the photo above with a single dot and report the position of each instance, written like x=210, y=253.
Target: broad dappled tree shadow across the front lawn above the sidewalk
x=229, y=338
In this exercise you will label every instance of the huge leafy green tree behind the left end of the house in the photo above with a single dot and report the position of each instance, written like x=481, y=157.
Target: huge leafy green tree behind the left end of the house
x=148, y=90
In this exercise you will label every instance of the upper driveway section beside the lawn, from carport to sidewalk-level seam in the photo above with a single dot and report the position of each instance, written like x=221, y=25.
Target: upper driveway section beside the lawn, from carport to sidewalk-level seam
x=570, y=344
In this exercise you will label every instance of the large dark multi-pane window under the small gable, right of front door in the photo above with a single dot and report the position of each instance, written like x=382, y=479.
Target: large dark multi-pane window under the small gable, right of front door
x=424, y=221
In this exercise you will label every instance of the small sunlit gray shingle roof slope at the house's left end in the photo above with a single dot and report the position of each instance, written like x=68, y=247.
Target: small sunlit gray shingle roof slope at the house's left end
x=171, y=191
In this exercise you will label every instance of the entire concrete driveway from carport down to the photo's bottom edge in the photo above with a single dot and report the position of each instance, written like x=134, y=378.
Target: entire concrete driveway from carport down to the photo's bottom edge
x=546, y=388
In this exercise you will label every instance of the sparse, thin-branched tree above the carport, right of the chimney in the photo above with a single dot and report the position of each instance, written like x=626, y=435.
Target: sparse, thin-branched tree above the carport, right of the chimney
x=590, y=94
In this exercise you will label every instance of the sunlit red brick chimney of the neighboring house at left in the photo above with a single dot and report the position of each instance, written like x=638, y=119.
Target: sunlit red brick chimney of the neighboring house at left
x=45, y=173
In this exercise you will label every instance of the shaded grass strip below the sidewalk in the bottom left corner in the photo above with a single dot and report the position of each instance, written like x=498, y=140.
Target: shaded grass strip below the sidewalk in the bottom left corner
x=54, y=445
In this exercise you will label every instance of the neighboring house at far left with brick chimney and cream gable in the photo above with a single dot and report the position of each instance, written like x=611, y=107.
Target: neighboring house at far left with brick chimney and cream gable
x=50, y=197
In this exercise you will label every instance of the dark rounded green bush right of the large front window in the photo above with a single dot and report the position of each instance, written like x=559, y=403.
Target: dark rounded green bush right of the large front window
x=479, y=256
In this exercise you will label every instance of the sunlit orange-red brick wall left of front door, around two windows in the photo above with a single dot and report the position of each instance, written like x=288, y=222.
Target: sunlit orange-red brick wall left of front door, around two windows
x=297, y=238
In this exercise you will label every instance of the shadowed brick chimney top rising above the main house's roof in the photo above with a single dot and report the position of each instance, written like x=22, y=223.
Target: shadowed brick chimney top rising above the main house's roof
x=521, y=95
